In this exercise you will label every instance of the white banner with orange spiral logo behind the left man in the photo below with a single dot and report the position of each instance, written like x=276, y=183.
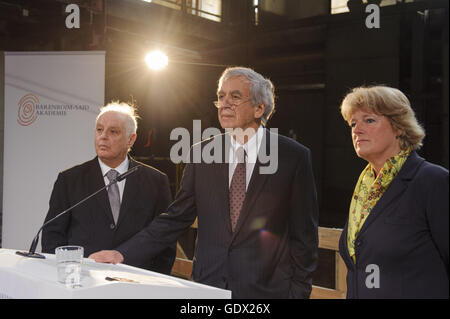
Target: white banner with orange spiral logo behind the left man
x=51, y=101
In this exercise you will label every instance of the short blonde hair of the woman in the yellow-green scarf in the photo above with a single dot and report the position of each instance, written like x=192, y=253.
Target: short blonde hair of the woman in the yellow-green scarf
x=391, y=103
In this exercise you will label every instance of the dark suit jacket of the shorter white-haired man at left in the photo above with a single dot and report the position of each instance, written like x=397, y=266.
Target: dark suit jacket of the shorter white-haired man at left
x=91, y=225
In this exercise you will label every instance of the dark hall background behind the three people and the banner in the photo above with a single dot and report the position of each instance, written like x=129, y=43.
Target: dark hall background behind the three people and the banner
x=312, y=56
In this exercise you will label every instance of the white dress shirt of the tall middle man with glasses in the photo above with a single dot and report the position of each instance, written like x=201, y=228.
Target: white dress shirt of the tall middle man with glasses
x=251, y=149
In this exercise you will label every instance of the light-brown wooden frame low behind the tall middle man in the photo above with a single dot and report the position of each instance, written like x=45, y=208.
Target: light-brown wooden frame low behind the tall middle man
x=328, y=239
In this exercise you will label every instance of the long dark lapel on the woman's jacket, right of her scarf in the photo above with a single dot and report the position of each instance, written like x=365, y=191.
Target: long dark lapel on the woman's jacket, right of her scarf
x=395, y=189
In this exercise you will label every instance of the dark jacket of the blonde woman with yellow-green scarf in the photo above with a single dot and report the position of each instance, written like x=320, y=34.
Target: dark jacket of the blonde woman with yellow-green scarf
x=406, y=236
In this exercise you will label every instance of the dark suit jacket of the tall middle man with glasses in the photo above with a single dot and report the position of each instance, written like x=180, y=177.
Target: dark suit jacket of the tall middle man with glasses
x=273, y=251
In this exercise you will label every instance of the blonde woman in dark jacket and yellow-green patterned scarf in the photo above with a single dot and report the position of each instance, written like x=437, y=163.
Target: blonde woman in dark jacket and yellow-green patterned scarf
x=395, y=243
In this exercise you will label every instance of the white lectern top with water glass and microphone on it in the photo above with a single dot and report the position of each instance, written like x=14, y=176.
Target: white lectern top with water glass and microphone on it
x=22, y=277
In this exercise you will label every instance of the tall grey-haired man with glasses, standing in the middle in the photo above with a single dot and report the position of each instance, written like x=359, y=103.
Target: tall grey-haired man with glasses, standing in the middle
x=257, y=225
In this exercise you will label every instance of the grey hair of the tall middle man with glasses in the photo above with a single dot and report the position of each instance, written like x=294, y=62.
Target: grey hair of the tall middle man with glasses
x=262, y=90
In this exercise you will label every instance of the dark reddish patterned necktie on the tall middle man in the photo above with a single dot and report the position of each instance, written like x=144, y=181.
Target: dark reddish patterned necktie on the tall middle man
x=237, y=188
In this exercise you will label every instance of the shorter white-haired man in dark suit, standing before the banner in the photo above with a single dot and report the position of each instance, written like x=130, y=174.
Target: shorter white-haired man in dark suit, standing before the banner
x=113, y=216
